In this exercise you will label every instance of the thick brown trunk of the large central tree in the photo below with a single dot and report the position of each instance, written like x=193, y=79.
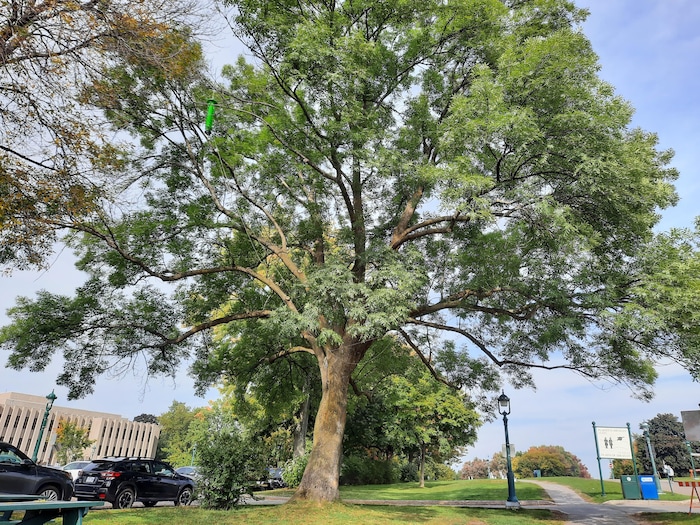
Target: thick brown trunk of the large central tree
x=321, y=477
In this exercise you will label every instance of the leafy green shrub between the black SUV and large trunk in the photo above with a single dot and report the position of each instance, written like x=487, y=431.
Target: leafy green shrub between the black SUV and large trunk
x=229, y=464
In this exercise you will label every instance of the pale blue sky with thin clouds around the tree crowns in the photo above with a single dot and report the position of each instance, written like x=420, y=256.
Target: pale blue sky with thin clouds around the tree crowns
x=649, y=50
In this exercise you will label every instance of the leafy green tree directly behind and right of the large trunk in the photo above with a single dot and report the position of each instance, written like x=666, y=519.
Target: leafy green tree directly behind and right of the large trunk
x=399, y=417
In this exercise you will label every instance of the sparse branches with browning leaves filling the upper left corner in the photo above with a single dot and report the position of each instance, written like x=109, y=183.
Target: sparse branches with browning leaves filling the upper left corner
x=55, y=159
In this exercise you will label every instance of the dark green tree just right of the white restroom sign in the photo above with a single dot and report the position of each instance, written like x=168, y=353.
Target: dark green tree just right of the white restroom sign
x=667, y=438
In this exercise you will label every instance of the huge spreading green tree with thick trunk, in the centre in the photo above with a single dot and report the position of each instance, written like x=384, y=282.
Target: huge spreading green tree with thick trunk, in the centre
x=452, y=176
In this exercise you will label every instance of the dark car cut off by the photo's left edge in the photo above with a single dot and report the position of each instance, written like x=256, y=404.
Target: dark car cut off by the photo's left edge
x=21, y=475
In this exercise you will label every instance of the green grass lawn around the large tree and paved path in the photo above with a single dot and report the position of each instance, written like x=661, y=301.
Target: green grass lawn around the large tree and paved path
x=340, y=514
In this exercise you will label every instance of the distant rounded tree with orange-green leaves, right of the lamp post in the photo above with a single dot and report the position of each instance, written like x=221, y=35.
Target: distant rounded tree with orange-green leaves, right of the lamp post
x=550, y=461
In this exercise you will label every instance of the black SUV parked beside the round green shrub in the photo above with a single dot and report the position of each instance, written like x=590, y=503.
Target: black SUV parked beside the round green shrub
x=122, y=481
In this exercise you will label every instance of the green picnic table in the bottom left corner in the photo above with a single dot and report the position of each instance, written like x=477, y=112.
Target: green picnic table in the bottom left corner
x=38, y=512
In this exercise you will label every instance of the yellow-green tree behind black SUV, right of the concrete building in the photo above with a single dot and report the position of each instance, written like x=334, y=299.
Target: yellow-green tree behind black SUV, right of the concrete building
x=175, y=445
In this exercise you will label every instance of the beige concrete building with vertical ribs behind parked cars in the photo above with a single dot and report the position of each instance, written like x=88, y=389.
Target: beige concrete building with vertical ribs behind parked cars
x=111, y=435
